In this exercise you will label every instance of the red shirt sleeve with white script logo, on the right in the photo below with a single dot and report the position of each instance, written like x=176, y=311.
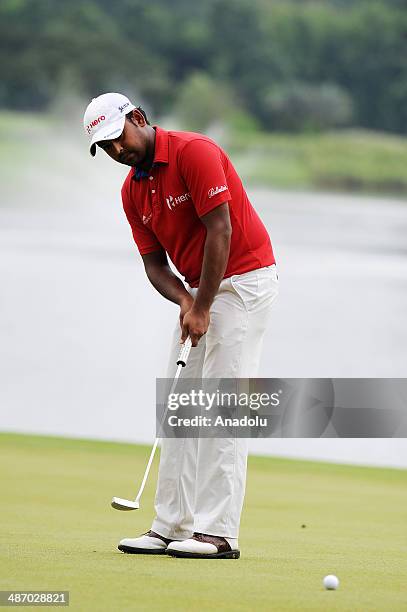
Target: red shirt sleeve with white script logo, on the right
x=201, y=165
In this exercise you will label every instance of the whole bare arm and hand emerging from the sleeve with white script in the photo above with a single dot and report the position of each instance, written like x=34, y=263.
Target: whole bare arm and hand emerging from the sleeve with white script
x=195, y=323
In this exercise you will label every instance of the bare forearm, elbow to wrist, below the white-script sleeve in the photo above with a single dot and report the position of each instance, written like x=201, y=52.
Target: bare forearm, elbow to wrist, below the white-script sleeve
x=216, y=255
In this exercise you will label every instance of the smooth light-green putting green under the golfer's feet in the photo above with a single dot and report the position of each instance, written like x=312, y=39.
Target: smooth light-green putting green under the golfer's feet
x=302, y=520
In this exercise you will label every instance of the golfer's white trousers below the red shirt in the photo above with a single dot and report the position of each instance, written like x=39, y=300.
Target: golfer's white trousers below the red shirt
x=201, y=481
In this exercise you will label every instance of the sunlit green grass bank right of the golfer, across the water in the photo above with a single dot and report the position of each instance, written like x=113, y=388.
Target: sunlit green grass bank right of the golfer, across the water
x=339, y=161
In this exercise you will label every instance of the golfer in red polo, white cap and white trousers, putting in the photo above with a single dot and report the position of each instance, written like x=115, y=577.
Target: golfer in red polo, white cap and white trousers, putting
x=184, y=200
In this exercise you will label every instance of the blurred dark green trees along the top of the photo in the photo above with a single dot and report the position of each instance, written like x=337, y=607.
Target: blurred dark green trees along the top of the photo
x=285, y=64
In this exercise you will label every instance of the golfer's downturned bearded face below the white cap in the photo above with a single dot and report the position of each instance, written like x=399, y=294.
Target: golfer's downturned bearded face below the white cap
x=131, y=148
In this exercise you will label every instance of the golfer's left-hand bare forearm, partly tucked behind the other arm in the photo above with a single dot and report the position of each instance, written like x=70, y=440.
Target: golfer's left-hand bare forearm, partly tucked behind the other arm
x=166, y=282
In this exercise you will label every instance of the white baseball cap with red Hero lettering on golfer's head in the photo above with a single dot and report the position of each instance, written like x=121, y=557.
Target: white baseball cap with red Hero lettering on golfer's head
x=104, y=118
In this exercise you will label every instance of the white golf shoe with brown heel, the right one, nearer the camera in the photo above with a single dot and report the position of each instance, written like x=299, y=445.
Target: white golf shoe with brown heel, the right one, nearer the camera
x=203, y=546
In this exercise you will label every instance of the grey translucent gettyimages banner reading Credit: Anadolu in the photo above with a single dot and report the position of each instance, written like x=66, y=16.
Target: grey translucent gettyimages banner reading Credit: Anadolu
x=287, y=408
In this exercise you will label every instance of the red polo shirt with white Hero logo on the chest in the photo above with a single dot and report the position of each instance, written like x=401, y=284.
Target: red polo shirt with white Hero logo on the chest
x=192, y=175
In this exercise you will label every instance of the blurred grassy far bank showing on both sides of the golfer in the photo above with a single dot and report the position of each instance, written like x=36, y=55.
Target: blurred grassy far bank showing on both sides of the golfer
x=34, y=146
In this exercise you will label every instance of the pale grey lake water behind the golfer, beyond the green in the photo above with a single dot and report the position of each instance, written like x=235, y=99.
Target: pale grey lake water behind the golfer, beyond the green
x=84, y=335
